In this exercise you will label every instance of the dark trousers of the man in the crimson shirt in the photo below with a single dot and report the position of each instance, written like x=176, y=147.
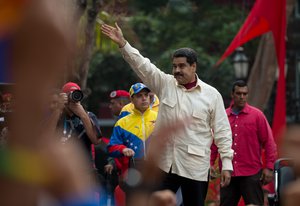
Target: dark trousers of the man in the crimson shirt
x=249, y=187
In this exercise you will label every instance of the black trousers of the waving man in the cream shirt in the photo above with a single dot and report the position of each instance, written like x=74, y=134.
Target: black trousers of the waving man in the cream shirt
x=193, y=192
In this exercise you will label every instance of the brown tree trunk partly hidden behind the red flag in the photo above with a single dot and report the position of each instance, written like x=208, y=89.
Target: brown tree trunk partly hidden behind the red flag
x=263, y=72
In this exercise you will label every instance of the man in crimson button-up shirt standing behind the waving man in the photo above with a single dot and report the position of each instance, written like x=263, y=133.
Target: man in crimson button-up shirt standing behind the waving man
x=250, y=134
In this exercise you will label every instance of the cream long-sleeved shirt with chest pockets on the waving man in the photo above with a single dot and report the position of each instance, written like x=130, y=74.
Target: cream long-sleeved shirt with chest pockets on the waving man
x=187, y=152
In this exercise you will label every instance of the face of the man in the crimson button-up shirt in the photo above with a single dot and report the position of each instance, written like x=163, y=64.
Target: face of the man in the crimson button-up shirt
x=240, y=96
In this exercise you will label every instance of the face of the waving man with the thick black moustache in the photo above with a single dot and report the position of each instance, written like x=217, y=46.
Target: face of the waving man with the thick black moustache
x=183, y=72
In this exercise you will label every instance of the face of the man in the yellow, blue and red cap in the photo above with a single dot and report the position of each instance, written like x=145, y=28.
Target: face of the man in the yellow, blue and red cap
x=141, y=100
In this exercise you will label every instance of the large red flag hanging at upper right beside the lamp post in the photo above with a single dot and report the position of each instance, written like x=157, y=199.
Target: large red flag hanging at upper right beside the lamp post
x=267, y=15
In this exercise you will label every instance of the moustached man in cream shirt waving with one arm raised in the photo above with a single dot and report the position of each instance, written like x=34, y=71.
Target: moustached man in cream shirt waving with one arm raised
x=186, y=159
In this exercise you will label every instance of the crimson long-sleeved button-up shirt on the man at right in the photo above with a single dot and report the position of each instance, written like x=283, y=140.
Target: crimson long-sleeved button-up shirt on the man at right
x=251, y=132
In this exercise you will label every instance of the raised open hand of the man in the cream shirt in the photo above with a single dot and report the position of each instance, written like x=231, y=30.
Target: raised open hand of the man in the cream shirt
x=114, y=33
